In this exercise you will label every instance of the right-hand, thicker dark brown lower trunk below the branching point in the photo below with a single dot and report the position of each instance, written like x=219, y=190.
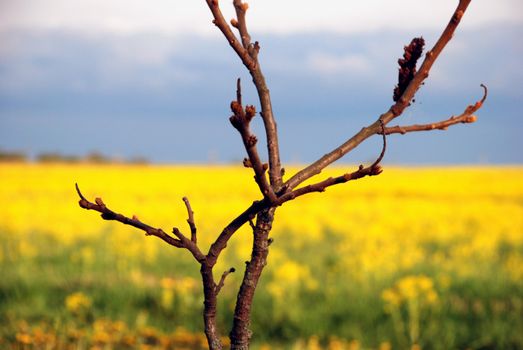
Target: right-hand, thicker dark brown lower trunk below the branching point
x=241, y=334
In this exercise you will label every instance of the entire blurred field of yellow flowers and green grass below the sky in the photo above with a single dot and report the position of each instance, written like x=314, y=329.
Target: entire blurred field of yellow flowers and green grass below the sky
x=416, y=258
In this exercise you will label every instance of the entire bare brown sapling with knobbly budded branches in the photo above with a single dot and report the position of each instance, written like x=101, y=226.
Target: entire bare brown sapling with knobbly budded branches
x=274, y=189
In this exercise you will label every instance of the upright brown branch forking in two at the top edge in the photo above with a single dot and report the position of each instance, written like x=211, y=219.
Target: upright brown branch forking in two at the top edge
x=248, y=53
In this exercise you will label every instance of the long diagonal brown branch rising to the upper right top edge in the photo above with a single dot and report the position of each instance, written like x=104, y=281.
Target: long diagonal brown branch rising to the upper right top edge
x=394, y=111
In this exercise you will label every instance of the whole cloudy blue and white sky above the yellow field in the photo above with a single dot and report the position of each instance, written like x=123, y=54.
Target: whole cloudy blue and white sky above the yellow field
x=154, y=78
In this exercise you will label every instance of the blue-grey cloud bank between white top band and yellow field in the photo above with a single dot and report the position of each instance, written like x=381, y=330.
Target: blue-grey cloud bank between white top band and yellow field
x=73, y=92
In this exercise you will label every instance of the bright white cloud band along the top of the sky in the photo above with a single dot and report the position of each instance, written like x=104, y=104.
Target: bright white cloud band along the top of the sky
x=268, y=16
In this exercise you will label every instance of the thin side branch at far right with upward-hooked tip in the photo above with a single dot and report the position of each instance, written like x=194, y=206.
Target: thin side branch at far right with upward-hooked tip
x=465, y=117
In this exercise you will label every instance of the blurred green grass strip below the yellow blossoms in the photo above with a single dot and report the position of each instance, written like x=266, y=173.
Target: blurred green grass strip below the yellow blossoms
x=482, y=311
